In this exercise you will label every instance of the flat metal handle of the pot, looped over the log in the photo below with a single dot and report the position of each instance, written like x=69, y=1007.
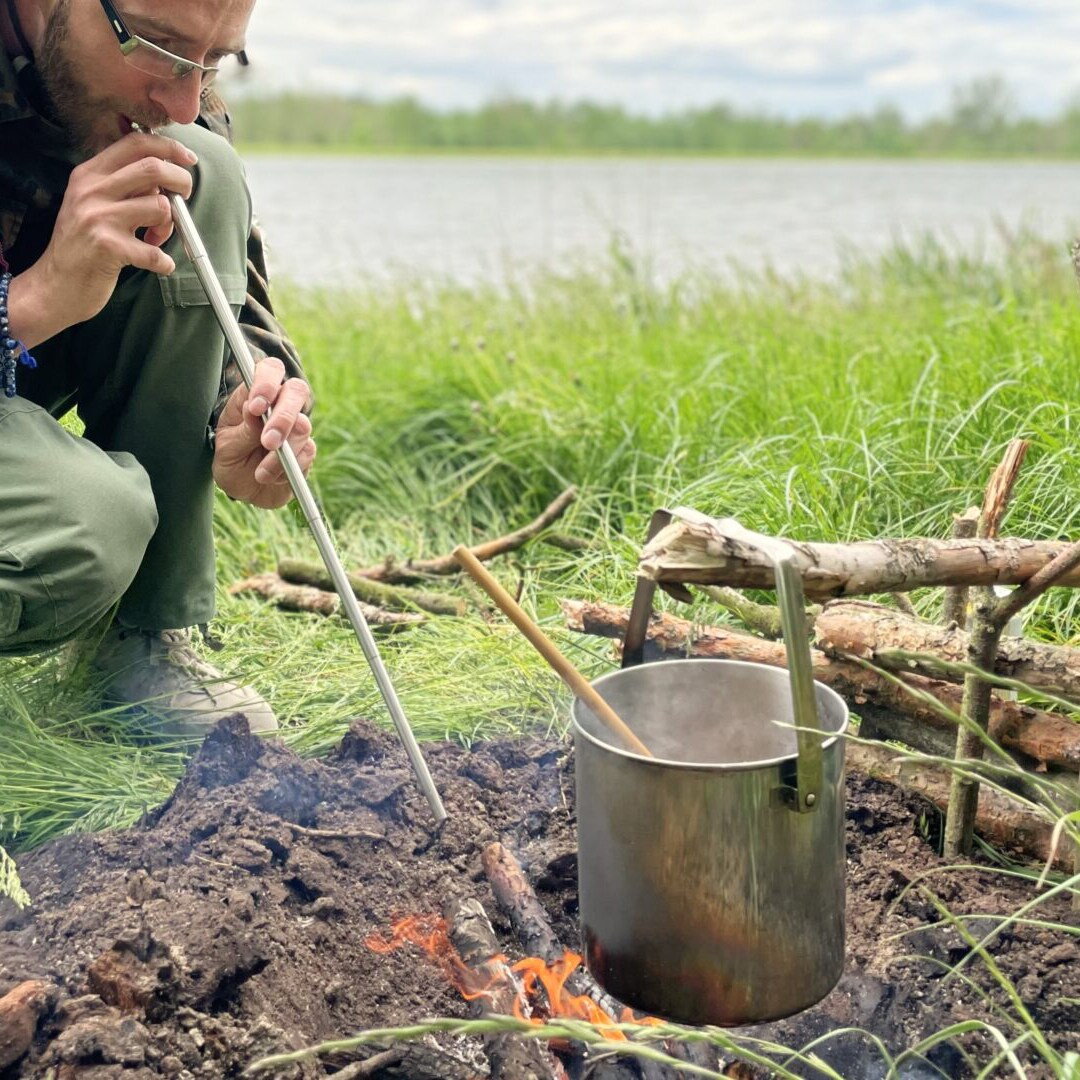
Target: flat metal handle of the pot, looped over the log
x=790, y=598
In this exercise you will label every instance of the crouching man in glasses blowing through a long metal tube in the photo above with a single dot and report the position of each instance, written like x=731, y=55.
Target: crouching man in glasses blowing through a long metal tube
x=118, y=523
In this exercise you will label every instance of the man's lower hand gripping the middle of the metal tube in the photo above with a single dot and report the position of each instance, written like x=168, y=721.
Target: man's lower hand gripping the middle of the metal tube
x=246, y=465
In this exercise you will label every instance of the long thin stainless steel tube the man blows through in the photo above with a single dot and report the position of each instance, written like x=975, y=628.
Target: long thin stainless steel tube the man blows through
x=208, y=278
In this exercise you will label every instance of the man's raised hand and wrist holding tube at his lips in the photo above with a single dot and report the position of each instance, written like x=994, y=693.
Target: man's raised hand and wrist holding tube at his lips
x=110, y=199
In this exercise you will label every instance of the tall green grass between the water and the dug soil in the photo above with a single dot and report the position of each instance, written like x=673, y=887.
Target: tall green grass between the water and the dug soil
x=875, y=406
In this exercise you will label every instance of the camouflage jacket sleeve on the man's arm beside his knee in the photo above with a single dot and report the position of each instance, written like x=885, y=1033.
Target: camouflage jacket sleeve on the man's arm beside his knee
x=264, y=332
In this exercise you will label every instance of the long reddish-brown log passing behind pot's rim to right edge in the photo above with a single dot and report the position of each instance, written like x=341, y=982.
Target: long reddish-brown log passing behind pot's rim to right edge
x=1044, y=739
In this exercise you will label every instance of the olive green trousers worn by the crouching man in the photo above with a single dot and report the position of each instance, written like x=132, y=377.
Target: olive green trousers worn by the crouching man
x=126, y=512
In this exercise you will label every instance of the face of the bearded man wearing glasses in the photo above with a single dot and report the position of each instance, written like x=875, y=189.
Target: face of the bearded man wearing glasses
x=98, y=94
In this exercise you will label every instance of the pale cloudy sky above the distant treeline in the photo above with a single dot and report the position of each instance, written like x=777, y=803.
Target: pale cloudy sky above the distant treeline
x=791, y=58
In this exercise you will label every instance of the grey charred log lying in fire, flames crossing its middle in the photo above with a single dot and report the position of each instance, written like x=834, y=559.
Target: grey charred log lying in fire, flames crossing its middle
x=510, y=1057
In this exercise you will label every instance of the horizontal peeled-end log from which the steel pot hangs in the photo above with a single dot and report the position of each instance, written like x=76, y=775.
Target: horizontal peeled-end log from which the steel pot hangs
x=695, y=549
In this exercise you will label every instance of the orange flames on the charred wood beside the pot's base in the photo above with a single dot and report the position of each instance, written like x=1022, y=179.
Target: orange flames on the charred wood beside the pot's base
x=539, y=989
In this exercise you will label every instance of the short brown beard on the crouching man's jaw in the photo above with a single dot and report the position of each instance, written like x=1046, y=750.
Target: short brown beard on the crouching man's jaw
x=90, y=123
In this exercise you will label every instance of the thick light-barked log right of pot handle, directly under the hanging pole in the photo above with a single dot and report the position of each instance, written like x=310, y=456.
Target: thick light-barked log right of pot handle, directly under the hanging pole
x=875, y=632
